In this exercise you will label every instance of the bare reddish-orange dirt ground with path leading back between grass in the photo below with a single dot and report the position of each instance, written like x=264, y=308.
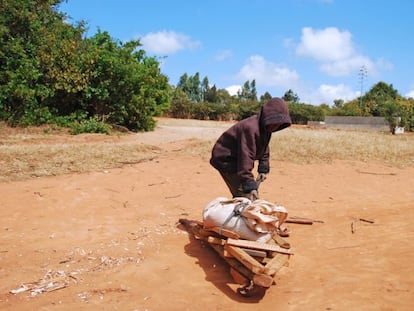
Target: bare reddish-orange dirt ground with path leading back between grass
x=111, y=238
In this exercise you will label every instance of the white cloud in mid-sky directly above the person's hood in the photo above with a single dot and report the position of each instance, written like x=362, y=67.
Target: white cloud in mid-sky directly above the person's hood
x=267, y=73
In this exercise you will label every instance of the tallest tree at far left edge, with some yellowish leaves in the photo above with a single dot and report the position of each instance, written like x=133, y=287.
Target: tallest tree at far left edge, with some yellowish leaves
x=38, y=58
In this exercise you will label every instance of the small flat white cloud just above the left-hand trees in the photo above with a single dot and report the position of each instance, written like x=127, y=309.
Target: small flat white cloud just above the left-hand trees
x=167, y=42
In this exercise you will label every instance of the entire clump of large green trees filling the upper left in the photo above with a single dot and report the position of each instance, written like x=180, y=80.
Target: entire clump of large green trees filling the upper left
x=48, y=70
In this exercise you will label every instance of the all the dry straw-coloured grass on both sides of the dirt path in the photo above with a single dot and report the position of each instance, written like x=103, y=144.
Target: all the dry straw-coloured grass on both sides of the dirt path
x=31, y=153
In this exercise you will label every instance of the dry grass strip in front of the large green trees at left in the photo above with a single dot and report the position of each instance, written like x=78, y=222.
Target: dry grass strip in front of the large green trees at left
x=20, y=162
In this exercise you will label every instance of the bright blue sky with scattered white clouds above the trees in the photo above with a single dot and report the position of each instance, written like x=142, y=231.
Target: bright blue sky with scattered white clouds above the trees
x=321, y=49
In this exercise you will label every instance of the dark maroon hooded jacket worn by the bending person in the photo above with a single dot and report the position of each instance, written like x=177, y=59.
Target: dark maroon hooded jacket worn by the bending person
x=247, y=141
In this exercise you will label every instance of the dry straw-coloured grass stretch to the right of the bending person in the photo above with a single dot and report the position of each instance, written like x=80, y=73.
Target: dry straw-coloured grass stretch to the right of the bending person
x=325, y=145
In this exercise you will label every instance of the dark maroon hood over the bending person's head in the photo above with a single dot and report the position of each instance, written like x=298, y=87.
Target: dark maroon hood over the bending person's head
x=275, y=112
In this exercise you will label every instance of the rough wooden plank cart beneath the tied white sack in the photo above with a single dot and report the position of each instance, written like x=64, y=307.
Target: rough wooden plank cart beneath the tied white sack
x=253, y=265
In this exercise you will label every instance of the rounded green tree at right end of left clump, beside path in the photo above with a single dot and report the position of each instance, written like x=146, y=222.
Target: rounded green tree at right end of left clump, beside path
x=128, y=87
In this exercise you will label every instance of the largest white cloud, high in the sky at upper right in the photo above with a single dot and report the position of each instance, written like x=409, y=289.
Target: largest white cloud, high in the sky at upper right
x=335, y=50
